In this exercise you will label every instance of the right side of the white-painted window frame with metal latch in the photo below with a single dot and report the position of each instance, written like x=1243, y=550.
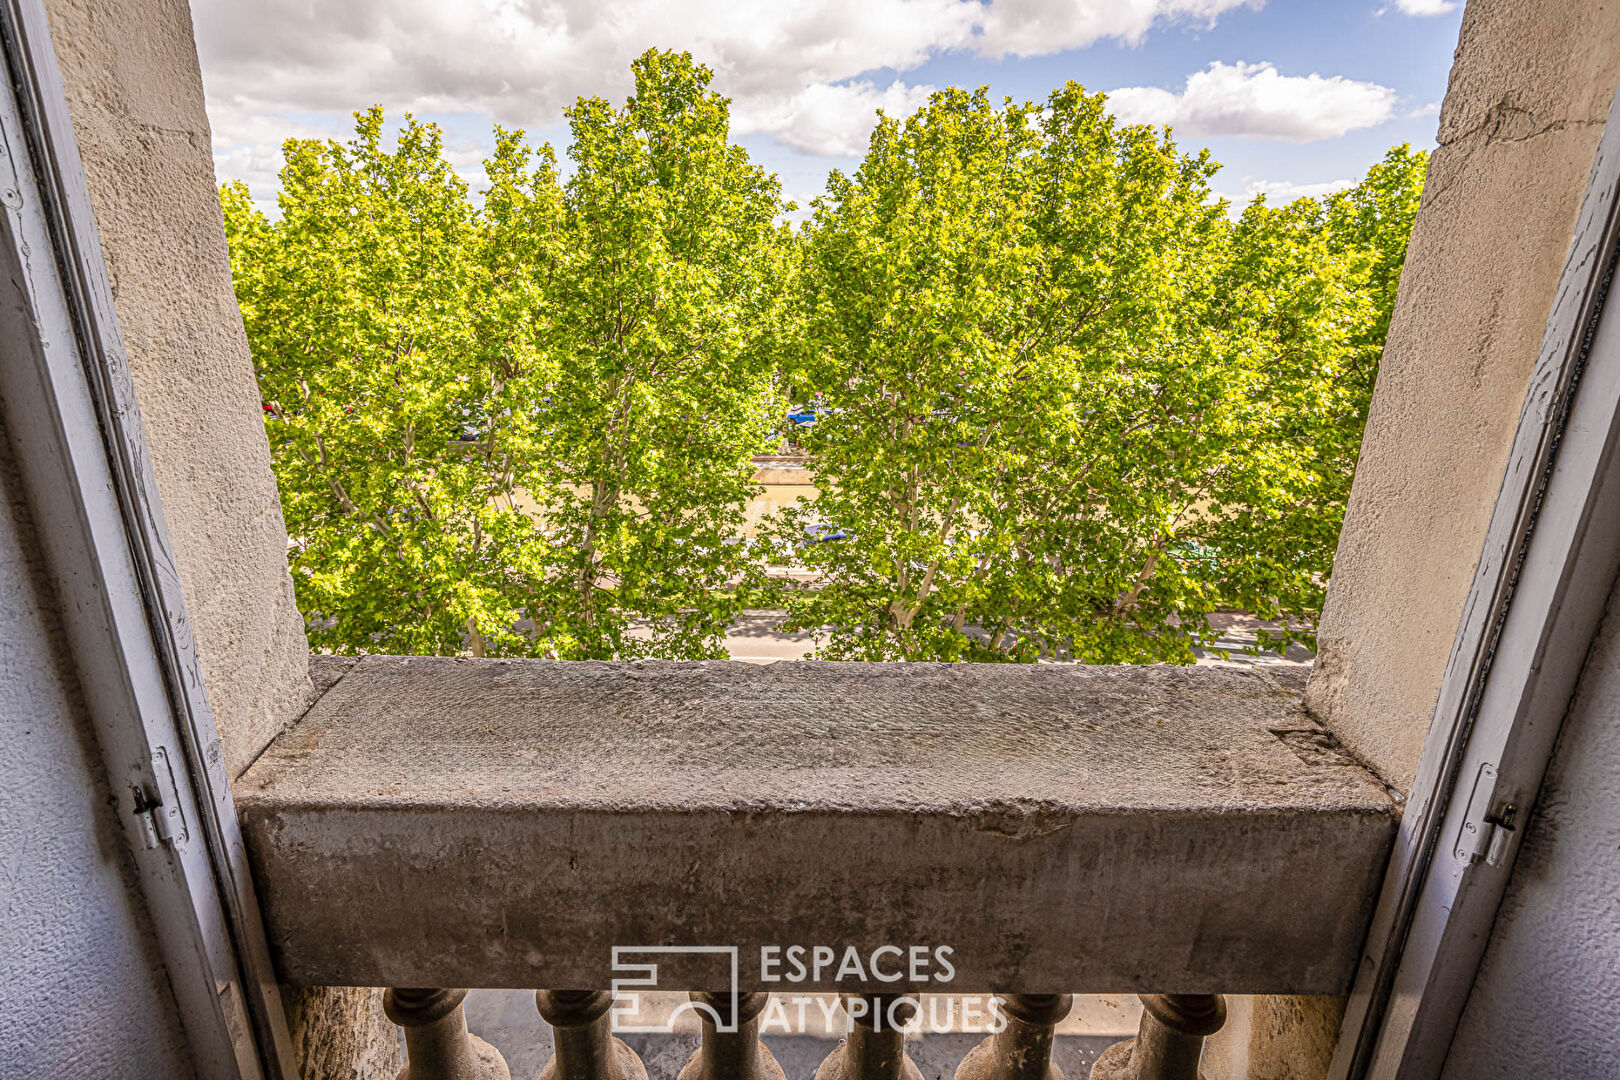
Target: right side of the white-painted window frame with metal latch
x=1538, y=597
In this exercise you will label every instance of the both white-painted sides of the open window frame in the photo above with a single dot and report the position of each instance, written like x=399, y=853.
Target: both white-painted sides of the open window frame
x=69, y=401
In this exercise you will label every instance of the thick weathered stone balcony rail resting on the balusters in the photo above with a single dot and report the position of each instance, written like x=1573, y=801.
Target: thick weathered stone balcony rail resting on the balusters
x=440, y=822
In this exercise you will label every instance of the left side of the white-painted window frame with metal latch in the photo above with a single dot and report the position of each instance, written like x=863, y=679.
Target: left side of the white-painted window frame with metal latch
x=69, y=404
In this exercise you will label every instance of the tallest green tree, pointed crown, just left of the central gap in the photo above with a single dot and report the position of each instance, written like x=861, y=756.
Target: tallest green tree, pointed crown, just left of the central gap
x=663, y=281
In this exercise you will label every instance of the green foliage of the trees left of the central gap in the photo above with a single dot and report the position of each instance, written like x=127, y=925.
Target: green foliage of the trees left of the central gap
x=518, y=430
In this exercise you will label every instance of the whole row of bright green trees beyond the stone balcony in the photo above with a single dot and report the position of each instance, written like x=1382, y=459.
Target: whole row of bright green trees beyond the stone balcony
x=1068, y=404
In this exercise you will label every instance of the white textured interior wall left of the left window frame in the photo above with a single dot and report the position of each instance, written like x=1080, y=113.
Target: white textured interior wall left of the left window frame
x=82, y=987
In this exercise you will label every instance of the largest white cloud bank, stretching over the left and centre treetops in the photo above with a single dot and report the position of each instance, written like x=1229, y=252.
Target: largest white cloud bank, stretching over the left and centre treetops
x=809, y=74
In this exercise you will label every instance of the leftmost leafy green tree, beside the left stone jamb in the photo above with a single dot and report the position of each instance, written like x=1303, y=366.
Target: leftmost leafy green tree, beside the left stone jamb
x=396, y=422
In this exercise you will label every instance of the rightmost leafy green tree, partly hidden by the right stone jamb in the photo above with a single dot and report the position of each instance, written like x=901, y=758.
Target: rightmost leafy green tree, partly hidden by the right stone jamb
x=1313, y=287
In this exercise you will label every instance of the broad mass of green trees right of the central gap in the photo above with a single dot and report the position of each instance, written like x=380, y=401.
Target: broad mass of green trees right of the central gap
x=1070, y=407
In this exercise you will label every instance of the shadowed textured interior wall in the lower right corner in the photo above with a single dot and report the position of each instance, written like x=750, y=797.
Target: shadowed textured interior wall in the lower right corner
x=1546, y=1001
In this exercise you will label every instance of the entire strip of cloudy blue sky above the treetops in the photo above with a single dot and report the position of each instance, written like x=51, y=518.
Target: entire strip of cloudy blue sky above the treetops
x=1292, y=96
